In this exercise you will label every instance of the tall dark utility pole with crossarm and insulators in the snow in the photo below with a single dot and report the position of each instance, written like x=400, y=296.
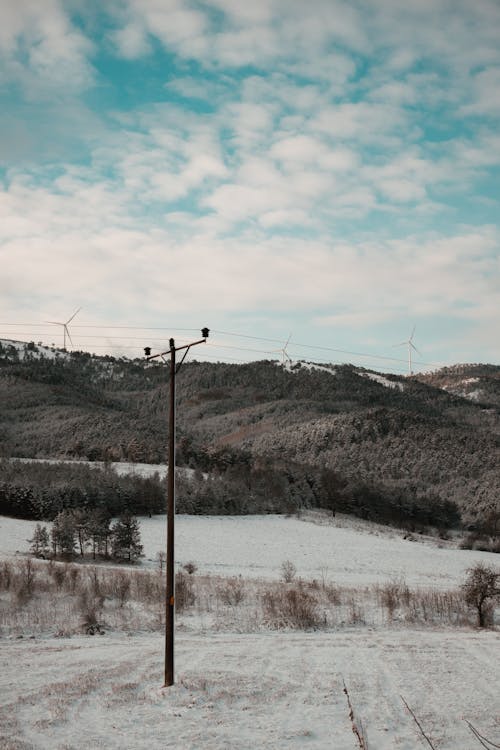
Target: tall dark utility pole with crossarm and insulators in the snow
x=170, y=562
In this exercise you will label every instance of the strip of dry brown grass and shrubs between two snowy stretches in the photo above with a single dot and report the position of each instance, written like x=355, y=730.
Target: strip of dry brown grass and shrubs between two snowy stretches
x=63, y=598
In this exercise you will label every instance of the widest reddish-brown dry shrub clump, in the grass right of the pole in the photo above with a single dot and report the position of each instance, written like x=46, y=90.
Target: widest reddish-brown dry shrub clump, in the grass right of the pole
x=295, y=608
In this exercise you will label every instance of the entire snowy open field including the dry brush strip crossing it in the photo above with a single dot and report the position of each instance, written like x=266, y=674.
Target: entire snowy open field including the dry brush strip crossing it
x=251, y=670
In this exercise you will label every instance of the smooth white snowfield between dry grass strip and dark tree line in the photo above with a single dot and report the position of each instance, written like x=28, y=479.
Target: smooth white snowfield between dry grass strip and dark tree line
x=348, y=552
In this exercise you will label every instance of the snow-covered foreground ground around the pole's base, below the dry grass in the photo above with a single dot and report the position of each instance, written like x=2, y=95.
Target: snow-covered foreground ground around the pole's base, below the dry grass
x=250, y=691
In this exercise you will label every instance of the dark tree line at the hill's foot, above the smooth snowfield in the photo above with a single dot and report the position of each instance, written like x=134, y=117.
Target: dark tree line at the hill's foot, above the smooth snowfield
x=234, y=483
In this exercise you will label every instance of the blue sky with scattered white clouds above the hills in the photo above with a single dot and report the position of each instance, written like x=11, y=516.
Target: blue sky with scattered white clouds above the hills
x=324, y=173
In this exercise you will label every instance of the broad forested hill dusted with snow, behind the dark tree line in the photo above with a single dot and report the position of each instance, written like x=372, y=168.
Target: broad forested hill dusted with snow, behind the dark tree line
x=342, y=436
